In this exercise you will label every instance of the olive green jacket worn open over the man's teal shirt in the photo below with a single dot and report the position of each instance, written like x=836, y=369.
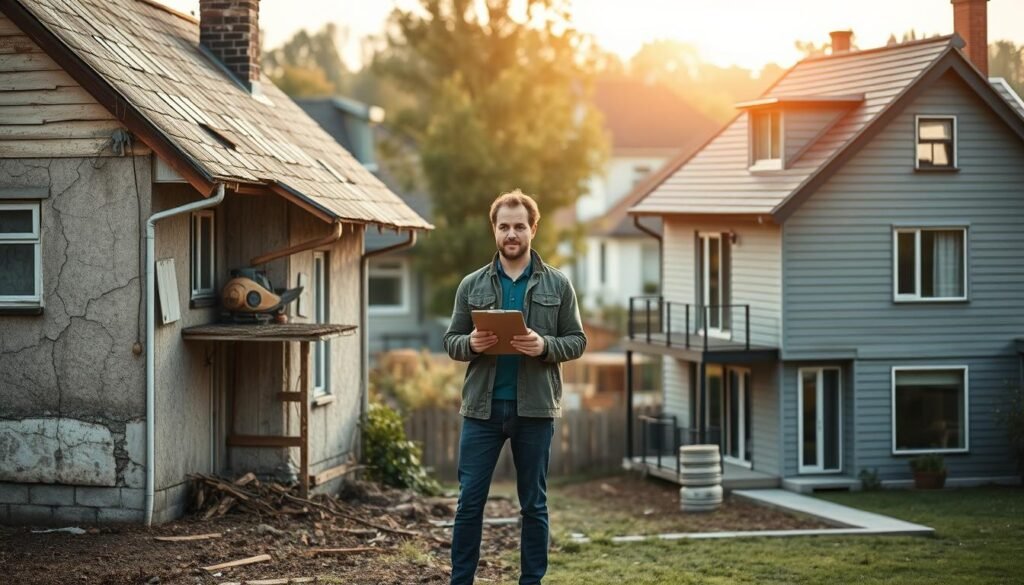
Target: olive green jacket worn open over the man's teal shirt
x=550, y=310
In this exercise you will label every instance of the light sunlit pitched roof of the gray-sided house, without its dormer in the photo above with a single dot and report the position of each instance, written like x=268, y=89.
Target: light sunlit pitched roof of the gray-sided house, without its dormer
x=716, y=180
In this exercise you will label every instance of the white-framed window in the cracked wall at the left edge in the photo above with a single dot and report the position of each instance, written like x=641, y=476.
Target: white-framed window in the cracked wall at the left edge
x=21, y=258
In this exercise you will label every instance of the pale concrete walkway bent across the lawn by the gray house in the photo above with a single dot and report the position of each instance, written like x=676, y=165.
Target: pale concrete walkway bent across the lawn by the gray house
x=849, y=522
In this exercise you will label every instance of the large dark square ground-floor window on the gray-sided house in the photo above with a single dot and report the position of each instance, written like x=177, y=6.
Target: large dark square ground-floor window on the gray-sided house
x=930, y=409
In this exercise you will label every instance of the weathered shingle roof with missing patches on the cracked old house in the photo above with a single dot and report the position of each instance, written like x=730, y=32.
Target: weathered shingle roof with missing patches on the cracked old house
x=144, y=63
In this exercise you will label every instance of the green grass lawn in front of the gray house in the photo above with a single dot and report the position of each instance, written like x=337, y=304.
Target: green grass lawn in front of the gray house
x=979, y=539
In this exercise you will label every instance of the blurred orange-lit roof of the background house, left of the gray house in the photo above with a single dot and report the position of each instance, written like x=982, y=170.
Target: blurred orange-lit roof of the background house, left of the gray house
x=645, y=116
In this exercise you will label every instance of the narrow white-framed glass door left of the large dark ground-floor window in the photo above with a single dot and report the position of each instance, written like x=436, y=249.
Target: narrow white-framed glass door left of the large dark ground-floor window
x=821, y=421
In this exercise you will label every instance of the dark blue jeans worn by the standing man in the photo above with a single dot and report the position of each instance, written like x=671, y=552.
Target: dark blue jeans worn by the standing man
x=480, y=447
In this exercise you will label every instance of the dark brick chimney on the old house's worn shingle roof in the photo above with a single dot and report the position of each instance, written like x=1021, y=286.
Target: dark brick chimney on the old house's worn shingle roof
x=230, y=30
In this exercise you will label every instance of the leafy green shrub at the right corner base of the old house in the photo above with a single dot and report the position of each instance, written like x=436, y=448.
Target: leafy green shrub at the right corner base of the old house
x=392, y=458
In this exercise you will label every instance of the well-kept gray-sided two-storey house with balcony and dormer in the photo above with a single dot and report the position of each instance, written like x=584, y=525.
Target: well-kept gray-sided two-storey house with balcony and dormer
x=842, y=274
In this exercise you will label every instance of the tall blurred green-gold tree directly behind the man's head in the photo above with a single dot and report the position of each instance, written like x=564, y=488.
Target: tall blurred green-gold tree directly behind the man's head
x=504, y=103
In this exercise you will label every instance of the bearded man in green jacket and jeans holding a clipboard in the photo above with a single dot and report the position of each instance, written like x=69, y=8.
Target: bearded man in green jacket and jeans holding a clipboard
x=514, y=398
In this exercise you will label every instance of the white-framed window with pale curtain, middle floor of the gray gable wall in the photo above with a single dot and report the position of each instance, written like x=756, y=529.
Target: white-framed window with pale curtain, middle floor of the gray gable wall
x=931, y=264
